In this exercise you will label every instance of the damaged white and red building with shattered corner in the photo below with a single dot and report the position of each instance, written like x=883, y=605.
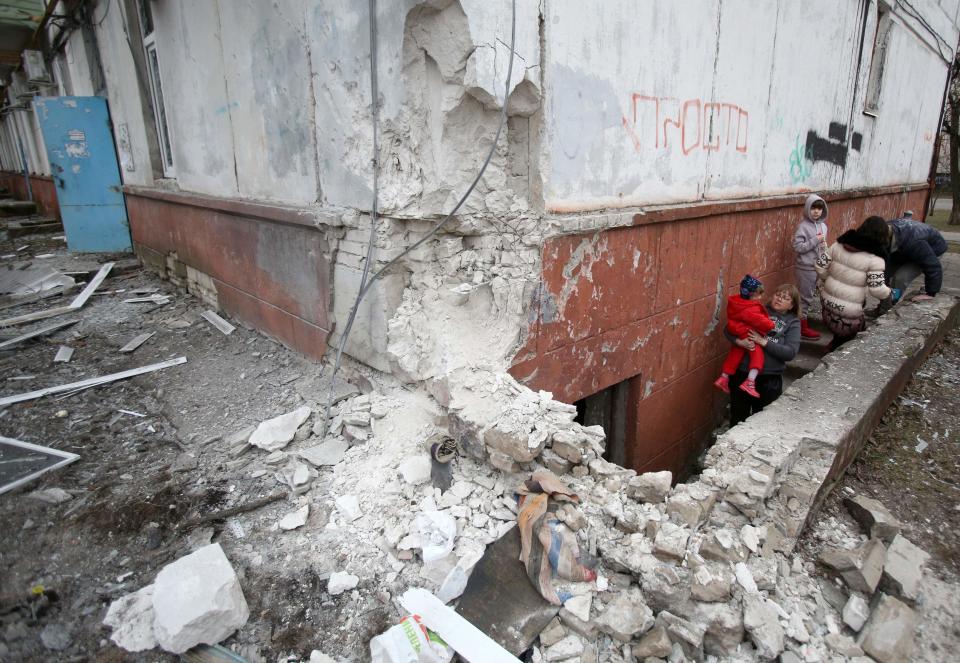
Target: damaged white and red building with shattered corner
x=651, y=155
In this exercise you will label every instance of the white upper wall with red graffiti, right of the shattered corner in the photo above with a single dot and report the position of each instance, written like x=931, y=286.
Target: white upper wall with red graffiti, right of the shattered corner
x=651, y=103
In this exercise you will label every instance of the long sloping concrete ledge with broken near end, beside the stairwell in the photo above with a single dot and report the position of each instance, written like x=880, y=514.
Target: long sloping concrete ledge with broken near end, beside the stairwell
x=778, y=467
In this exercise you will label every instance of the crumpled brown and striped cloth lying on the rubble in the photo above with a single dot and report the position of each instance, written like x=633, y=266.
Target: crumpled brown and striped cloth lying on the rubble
x=547, y=546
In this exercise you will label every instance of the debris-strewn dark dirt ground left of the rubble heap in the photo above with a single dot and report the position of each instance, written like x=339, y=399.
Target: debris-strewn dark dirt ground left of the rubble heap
x=167, y=467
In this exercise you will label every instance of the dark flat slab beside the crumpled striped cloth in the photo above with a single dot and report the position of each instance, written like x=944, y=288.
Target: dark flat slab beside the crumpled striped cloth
x=501, y=601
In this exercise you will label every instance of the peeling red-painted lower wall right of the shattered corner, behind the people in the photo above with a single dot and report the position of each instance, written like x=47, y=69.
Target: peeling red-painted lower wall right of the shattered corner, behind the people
x=640, y=304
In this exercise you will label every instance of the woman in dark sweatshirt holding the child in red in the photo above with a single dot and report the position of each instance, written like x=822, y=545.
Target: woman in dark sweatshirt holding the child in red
x=779, y=345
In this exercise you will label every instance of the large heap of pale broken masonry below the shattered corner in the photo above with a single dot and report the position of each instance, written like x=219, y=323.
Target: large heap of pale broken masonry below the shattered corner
x=692, y=572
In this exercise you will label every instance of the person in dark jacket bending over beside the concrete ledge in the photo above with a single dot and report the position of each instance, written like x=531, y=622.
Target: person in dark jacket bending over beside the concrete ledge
x=915, y=248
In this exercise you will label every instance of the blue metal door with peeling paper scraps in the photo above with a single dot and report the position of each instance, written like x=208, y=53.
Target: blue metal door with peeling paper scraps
x=83, y=161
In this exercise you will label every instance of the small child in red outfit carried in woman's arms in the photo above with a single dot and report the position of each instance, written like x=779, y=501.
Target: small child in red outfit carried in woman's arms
x=745, y=313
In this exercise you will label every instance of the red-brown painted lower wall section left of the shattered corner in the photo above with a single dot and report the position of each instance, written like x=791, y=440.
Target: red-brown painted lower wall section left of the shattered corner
x=271, y=274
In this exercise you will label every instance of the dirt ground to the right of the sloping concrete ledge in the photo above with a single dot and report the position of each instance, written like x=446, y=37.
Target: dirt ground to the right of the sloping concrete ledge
x=911, y=464
